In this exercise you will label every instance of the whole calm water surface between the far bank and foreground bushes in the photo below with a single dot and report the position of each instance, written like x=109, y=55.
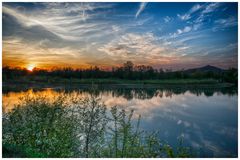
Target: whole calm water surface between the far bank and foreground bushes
x=206, y=118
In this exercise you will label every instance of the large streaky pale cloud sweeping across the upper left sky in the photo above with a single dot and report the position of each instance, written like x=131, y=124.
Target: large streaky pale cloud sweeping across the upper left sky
x=68, y=21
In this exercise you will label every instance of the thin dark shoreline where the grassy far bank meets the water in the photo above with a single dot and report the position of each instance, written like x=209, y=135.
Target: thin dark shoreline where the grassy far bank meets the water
x=9, y=86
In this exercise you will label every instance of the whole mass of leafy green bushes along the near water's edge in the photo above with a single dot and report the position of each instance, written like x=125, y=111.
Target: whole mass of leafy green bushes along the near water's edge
x=60, y=127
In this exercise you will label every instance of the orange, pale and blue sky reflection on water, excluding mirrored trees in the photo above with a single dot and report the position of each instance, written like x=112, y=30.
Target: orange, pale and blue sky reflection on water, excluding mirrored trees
x=202, y=120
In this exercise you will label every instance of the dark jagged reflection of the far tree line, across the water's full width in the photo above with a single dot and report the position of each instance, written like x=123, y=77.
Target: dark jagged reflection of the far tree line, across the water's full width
x=138, y=91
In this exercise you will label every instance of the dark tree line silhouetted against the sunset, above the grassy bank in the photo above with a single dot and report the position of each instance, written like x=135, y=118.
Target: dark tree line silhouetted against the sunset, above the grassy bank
x=127, y=71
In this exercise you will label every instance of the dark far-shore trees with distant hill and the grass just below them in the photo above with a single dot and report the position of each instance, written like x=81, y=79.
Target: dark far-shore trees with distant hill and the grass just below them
x=128, y=73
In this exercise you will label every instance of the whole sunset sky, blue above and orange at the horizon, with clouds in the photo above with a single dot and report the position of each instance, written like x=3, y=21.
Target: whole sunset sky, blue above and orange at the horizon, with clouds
x=174, y=35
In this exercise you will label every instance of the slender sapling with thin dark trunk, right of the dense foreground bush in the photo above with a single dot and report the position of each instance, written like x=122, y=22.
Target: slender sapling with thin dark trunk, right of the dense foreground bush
x=89, y=115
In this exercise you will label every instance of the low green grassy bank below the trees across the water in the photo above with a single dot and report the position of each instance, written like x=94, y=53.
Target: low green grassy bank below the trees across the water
x=115, y=84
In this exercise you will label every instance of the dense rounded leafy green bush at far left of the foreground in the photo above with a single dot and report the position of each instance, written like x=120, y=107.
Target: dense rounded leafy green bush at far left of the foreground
x=42, y=125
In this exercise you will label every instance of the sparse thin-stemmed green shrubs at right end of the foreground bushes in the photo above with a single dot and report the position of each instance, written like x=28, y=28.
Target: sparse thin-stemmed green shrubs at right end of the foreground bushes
x=129, y=141
